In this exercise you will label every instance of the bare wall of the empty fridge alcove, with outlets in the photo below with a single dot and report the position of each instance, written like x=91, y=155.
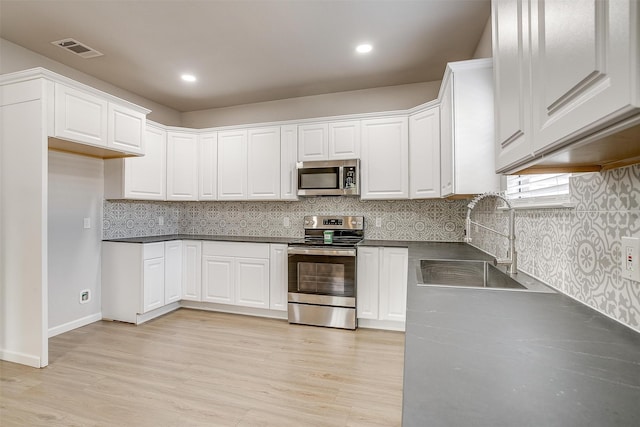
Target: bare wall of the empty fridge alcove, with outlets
x=75, y=192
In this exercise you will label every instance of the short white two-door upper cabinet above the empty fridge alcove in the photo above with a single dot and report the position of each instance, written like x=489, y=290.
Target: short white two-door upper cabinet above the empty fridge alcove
x=90, y=119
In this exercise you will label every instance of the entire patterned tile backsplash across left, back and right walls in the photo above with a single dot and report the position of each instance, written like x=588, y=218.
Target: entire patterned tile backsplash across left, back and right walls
x=576, y=250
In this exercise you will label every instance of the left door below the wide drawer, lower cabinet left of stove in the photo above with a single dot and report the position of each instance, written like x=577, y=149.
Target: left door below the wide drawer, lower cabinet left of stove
x=218, y=275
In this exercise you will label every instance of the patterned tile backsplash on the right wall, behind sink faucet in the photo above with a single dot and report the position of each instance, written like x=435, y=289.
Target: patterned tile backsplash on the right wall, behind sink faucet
x=578, y=250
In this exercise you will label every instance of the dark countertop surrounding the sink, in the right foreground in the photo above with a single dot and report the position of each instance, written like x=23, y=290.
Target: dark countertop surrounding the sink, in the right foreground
x=481, y=357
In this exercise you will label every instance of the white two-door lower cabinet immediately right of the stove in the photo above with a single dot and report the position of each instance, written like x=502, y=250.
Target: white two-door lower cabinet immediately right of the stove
x=382, y=286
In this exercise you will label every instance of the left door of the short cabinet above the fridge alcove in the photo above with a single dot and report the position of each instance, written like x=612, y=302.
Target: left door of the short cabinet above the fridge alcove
x=80, y=116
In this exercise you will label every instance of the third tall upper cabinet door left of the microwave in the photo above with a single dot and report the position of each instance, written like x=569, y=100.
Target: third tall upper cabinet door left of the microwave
x=232, y=165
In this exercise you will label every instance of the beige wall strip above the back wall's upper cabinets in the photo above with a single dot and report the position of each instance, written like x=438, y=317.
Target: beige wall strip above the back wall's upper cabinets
x=386, y=98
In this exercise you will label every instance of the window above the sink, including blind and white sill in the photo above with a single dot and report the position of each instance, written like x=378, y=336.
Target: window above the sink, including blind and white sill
x=539, y=189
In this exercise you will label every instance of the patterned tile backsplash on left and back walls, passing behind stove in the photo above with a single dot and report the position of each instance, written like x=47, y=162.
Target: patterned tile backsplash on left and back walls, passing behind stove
x=429, y=220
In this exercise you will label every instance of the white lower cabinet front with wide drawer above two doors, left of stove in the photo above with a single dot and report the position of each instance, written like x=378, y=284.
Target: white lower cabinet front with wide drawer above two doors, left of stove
x=236, y=273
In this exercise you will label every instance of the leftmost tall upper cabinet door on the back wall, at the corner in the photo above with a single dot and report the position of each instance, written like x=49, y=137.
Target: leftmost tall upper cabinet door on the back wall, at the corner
x=182, y=166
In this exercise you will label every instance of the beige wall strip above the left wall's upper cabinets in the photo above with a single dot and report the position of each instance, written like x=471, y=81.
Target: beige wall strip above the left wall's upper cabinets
x=16, y=58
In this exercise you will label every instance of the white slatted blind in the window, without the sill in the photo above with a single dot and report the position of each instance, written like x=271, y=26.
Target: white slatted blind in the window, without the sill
x=538, y=185
